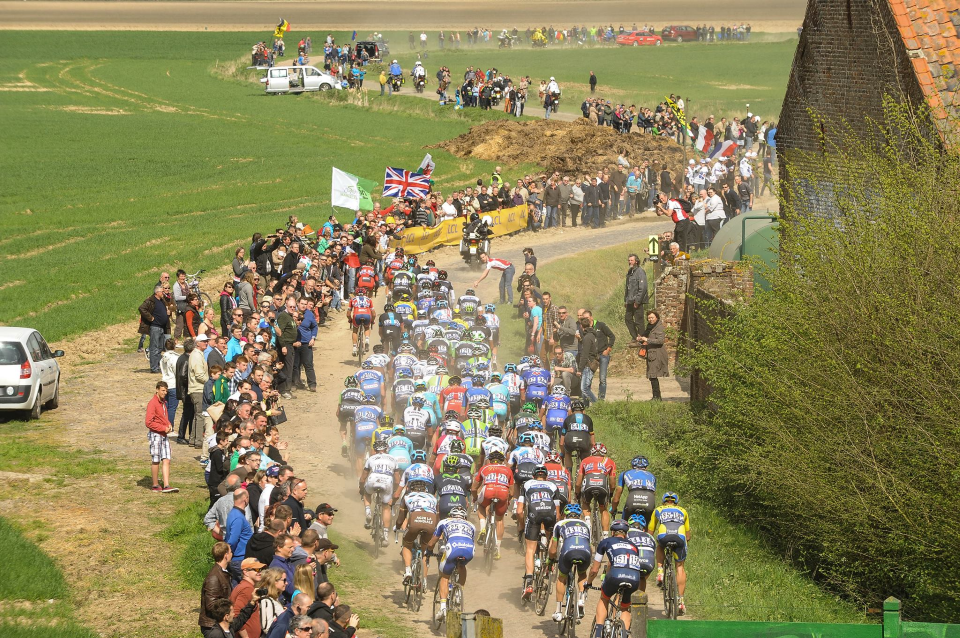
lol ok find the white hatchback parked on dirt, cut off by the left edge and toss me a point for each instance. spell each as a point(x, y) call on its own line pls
point(29, 372)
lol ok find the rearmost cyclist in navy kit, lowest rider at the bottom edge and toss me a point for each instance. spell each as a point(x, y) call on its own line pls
point(624, 572)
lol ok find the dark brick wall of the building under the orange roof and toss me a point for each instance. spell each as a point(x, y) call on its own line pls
point(849, 56)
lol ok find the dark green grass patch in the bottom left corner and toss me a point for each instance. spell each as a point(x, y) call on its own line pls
point(34, 597)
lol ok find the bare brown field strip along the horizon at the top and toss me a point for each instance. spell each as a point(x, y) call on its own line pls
point(779, 16)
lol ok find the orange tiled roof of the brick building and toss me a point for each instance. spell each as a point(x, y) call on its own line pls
point(929, 29)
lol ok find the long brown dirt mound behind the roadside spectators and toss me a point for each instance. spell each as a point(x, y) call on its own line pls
point(571, 148)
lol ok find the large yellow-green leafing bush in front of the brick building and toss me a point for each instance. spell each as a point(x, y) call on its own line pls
point(835, 426)
